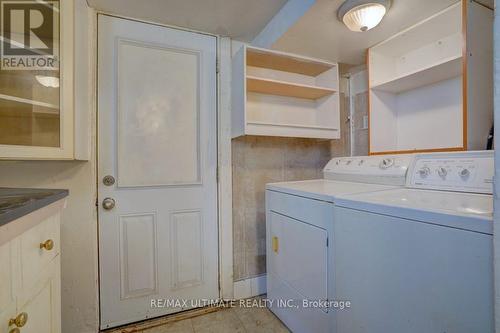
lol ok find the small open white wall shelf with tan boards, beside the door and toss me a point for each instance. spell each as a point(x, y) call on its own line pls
point(280, 94)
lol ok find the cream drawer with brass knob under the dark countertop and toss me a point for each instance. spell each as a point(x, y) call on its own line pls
point(34, 257)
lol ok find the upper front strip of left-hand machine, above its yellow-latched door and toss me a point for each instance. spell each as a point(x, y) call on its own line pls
point(315, 212)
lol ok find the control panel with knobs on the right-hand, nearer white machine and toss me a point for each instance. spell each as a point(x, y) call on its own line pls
point(462, 172)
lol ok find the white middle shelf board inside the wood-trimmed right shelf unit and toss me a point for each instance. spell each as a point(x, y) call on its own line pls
point(447, 69)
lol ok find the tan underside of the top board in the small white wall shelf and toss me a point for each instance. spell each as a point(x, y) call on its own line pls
point(286, 62)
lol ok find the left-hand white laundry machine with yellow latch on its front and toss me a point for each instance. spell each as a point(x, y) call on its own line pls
point(299, 219)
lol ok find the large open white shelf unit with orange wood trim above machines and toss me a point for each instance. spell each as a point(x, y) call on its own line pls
point(431, 85)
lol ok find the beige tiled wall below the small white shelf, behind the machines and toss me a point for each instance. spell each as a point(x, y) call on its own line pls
point(259, 160)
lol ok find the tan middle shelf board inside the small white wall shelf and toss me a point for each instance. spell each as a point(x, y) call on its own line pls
point(281, 88)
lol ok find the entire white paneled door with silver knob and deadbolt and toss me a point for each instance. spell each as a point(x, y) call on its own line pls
point(157, 139)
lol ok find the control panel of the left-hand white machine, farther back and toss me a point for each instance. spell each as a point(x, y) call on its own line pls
point(383, 169)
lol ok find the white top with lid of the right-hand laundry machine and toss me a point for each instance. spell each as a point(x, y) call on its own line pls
point(468, 211)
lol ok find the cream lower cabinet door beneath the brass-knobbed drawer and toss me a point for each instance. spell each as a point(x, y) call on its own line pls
point(42, 303)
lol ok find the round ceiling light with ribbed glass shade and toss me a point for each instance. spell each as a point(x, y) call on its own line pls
point(363, 15)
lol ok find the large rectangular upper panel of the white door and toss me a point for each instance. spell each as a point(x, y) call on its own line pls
point(154, 111)
